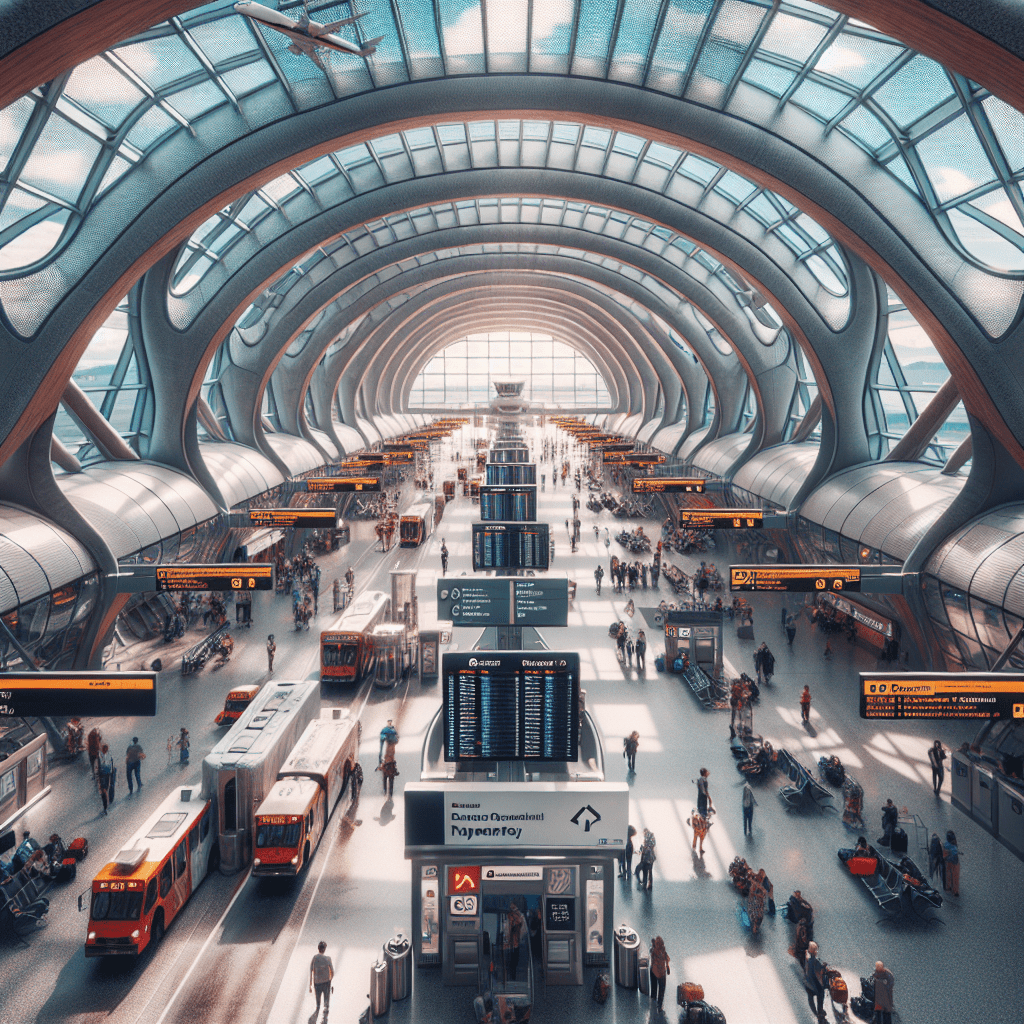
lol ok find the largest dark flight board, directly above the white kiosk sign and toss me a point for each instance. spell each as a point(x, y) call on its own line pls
point(511, 706)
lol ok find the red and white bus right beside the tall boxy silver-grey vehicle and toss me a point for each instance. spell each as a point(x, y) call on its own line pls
point(291, 822)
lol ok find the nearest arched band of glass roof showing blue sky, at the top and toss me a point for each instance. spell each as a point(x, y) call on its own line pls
point(958, 148)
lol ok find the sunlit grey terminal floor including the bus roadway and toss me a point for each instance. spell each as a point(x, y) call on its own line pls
point(240, 951)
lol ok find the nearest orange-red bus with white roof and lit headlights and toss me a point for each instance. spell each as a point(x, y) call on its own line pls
point(138, 895)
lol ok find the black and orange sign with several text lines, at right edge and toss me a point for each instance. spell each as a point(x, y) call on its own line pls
point(943, 696)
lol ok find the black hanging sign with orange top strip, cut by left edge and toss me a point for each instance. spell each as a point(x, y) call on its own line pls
point(78, 694)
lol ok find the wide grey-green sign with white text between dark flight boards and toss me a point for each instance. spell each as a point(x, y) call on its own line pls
point(534, 602)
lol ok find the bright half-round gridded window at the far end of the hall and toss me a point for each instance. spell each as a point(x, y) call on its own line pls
point(557, 375)
